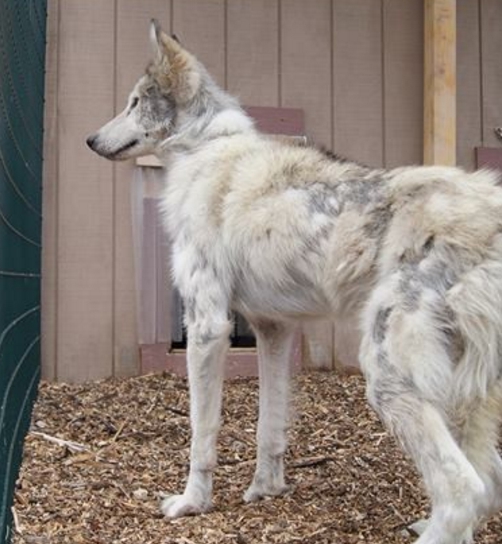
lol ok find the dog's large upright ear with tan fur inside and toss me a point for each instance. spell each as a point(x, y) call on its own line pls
point(174, 67)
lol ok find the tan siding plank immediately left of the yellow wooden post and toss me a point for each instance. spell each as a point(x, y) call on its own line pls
point(403, 81)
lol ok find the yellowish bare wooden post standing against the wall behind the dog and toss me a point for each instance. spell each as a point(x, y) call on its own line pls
point(440, 82)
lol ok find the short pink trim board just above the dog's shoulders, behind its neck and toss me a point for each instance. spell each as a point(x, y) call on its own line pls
point(286, 121)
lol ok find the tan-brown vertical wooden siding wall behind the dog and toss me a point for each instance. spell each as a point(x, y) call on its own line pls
point(355, 68)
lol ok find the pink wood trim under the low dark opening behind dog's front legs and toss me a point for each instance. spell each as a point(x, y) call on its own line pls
point(240, 362)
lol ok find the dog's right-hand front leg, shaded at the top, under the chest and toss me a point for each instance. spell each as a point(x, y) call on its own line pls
point(274, 341)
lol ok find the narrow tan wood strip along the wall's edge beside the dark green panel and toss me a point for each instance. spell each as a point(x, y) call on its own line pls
point(50, 198)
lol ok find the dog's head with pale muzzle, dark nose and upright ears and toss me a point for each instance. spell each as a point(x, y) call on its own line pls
point(171, 81)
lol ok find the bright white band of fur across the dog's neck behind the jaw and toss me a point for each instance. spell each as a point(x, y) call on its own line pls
point(229, 122)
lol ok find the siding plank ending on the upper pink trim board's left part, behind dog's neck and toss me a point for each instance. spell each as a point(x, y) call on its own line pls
point(252, 51)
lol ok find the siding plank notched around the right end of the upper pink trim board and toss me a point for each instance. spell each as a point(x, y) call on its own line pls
point(305, 64)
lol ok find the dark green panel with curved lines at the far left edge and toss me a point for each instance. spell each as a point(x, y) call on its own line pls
point(22, 61)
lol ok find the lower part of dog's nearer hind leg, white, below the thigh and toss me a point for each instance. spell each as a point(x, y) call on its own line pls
point(453, 484)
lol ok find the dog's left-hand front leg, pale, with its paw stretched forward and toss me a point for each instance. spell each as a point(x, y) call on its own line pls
point(208, 340)
